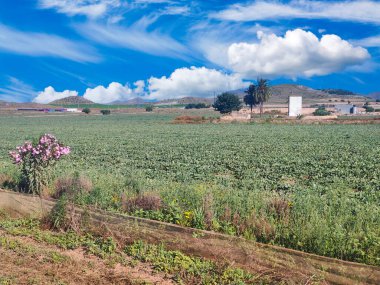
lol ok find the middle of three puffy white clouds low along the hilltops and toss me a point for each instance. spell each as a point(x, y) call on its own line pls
point(114, 92)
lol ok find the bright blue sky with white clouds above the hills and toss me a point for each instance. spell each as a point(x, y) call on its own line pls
point(116, 50)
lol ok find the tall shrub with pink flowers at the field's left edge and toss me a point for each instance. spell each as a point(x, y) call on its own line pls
point(35, 159)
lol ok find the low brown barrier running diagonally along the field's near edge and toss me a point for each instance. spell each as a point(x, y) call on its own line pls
point(291, 266)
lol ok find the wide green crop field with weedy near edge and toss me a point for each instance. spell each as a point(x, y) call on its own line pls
point(314, 188)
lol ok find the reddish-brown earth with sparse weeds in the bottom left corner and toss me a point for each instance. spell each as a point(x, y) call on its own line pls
point(33, 262)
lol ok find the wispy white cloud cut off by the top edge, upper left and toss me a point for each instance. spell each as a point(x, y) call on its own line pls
point(89, 8)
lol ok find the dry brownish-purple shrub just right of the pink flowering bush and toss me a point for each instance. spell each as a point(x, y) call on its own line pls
point(72, 185)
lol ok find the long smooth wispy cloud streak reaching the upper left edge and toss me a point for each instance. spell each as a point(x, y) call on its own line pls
point(39, 44)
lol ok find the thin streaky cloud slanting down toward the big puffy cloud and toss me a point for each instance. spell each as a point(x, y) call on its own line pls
point(135, 38)
